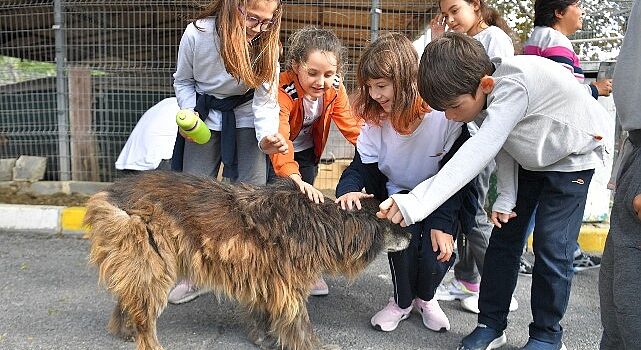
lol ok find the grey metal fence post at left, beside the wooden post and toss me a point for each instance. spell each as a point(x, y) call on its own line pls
point(61, 92)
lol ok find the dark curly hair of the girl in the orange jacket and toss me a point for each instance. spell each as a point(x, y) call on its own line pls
point(309, 39)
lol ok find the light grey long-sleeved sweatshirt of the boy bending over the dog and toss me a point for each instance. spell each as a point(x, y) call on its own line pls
point(537, 117)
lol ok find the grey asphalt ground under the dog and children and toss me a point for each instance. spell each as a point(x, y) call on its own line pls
point(51, 300)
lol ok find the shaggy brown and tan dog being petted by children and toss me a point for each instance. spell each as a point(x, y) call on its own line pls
point(262, 246)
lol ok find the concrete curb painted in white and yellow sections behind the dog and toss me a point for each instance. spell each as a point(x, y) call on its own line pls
point(68, 221)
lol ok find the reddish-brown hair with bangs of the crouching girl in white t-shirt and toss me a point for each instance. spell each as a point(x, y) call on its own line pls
point(391, 57)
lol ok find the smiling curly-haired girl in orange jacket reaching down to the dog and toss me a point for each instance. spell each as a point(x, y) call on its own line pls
point(311, 95)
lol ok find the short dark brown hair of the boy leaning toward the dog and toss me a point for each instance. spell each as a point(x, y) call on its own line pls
point(451, 66)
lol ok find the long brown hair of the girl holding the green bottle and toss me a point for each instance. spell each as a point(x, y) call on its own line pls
point(252, 63)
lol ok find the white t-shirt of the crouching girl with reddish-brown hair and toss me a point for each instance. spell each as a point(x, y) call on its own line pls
point(408, 160)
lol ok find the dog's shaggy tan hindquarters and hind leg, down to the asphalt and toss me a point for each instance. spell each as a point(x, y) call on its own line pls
point(130, 263)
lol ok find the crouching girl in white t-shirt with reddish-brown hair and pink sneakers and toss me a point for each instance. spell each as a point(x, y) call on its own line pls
point(403, 143)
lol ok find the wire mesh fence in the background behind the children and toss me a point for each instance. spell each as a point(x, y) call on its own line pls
point(75, 75)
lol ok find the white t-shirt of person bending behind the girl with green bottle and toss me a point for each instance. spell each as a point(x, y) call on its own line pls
point(152, 139)
